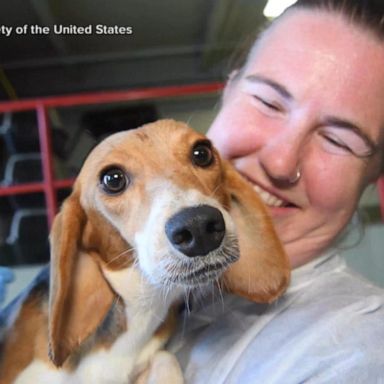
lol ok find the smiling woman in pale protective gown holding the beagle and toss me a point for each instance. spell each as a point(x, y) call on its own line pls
point(303, 121)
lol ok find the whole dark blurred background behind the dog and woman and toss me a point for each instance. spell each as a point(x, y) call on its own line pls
point(55, 48)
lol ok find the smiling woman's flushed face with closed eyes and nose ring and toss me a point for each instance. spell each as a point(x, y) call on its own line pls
point(310, 99)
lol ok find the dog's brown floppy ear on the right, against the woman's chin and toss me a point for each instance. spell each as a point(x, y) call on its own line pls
point(262, 272)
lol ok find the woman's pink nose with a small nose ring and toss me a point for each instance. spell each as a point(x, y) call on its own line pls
point(280, 157)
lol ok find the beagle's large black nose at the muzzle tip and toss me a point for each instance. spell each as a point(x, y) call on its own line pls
point(196, 231)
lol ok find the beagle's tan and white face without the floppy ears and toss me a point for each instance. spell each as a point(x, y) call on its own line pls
point(162, 189)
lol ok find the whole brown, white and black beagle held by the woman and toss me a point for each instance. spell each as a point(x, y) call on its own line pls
point(153, 213)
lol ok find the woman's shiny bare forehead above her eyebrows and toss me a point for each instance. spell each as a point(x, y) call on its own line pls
point(320, 55)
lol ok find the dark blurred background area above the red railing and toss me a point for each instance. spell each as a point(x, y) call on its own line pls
point(172, 42)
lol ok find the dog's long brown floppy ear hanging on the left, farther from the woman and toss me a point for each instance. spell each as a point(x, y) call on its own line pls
point(80, 297)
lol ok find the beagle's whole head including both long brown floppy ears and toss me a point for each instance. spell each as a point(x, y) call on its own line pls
point(158, 200)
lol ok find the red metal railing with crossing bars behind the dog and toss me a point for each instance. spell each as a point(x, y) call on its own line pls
point(50, 185)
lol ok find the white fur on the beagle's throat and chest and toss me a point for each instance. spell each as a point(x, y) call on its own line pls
point(146, 308)
